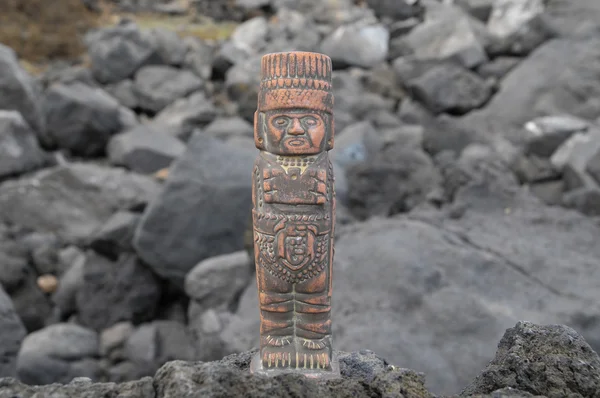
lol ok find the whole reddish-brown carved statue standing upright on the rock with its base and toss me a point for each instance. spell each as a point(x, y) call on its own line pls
point(294, 214)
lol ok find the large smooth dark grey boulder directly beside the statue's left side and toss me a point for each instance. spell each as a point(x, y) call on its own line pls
point(202, 211)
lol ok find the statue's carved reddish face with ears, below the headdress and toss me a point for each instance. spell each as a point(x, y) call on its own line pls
point(299, 132)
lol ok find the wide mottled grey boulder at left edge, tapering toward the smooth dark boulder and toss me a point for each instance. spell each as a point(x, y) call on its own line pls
point(73, 200)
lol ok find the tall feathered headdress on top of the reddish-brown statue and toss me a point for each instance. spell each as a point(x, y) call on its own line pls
point(296, 80)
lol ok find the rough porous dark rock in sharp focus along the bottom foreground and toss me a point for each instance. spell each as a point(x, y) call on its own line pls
point(527, 356)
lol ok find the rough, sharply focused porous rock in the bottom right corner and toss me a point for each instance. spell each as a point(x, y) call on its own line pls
point(553, 361)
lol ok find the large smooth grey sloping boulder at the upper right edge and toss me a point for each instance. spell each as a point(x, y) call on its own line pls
point(560, 77)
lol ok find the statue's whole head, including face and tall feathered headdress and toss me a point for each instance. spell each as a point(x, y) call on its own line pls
point(295, 104)
